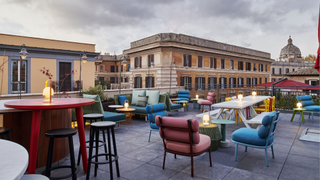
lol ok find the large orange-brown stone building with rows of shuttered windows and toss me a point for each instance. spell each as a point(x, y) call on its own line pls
point(201, 64)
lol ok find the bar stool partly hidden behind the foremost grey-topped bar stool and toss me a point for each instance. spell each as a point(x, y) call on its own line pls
point(94, 117)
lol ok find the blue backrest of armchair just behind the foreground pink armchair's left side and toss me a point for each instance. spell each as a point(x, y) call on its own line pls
point(156, 110)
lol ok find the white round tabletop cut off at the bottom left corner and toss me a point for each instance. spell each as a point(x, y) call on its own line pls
point(14, 160)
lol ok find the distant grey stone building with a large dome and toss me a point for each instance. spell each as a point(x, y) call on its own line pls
point(289, 61)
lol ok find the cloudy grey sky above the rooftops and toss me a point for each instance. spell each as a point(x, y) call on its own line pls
point(112, 24)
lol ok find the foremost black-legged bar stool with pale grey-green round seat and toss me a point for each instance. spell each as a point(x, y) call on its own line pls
point(94, 130)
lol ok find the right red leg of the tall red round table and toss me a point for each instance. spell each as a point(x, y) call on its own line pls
point(82, 138)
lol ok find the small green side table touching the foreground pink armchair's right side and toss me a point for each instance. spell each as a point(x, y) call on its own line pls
point(212, 130)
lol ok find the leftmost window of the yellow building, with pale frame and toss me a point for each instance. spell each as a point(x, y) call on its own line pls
point(19, 73)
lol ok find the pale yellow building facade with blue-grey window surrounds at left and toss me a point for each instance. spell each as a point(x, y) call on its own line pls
point(61, 58)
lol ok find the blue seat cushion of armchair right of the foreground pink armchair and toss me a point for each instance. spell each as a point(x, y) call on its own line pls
point(250, 136)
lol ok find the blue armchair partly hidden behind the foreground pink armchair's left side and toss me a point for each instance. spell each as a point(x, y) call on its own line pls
point(153, 111)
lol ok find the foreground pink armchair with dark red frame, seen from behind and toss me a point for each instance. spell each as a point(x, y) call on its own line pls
point(181, 136)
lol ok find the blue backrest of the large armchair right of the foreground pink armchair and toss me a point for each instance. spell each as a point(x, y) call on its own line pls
point(269, 124)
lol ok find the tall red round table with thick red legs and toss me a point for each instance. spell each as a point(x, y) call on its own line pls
point(37, 105)
